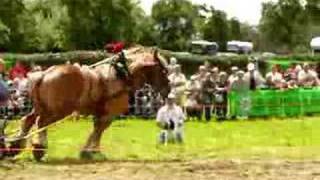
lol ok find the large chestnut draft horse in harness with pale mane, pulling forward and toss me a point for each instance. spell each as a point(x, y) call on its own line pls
point(102, 91)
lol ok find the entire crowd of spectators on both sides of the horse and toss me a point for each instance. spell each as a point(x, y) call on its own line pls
point(202, 95)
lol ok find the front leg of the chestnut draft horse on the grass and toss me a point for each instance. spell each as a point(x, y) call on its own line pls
point(92, 146)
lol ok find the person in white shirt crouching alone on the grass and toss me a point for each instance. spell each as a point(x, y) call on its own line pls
point(170, 119)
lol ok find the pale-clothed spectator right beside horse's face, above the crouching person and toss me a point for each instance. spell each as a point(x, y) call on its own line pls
point(177, 84)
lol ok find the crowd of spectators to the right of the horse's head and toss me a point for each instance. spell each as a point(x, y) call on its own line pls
point(206, 91)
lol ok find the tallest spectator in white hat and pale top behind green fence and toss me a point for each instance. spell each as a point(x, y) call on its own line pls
point(254, 77)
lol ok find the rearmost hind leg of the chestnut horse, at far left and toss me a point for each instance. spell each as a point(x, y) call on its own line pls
point(20, 141)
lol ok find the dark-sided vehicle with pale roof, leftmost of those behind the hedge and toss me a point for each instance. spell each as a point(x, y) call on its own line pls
point(204, 47)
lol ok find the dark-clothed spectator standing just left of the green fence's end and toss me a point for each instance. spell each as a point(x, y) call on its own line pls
point(221, 96)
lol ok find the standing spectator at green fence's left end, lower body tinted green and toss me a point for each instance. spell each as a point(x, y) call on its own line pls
point(241, 88)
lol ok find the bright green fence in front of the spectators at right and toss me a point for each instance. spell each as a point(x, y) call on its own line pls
point(263, 103)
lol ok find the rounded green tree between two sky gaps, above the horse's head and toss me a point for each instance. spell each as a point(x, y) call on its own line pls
point(175, 23)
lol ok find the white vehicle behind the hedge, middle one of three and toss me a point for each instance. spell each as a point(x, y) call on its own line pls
point(240, 47)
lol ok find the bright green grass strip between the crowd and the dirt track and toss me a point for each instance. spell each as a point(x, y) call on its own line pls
point(137, 140)
